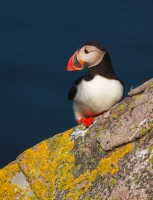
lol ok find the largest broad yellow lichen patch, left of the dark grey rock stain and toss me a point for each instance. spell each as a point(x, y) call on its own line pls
point(48, 167)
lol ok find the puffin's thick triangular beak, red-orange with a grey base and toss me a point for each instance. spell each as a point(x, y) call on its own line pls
point(74, 64)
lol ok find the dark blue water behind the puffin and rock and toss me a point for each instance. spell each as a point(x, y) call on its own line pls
point(36, 40)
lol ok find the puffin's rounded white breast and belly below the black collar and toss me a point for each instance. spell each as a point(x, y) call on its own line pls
point(98, 95)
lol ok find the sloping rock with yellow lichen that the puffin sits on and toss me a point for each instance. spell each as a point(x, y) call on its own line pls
point(112, 159)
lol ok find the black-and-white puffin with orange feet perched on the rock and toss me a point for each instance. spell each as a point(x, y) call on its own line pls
point(99, 89)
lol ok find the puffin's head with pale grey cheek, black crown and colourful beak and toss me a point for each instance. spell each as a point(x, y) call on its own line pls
point(88, 55)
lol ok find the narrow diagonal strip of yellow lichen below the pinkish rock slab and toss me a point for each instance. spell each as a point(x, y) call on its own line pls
point(106, 165)
